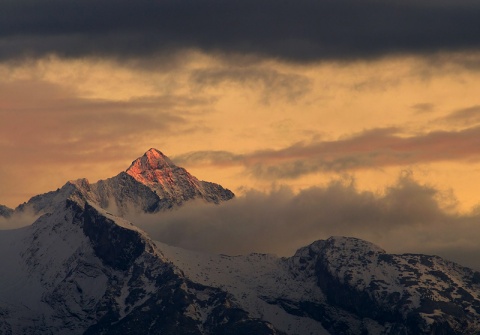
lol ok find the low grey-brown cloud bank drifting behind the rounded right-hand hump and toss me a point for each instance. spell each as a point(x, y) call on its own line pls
point(407, 217)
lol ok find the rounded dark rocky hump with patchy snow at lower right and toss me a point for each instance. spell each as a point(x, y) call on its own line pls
point(405, 294)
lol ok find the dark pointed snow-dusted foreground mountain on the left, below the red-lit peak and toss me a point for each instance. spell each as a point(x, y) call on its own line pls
point(81, 270)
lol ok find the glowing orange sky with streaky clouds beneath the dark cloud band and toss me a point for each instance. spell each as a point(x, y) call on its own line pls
point(250, 124)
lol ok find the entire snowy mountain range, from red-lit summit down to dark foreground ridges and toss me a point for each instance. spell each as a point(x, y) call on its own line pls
point(79, 269)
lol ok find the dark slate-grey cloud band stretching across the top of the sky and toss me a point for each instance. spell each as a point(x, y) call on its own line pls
point(300, 30)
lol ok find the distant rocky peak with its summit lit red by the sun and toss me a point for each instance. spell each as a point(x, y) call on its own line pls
point(152, 183)
